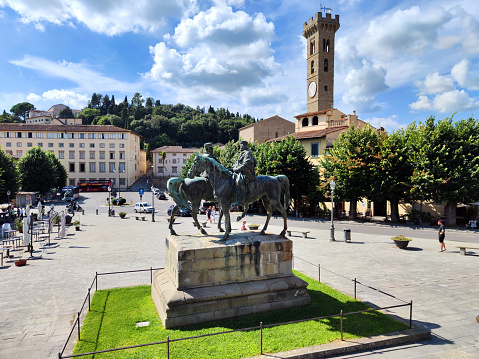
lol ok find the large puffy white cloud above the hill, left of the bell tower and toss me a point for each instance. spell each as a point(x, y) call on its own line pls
point(218, 52)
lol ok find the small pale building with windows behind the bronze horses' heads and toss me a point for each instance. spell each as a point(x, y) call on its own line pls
point(173, 161)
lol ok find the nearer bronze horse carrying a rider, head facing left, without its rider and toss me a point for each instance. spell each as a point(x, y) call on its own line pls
point(267, 188)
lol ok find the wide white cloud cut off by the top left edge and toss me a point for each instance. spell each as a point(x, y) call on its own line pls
point(102, 16)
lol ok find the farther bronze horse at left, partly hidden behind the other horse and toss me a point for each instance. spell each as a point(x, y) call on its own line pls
point(190, 190)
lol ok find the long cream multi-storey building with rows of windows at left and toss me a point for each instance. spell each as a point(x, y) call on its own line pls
point(86, 151)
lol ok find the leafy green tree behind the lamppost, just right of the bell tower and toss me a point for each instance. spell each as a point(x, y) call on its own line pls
point(352, 163)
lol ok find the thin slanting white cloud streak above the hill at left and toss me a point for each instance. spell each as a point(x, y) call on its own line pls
point(87, 79)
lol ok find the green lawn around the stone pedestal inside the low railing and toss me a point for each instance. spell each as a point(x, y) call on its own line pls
point(114, 313)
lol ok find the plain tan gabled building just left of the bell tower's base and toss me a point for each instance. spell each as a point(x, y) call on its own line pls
point(266, 129)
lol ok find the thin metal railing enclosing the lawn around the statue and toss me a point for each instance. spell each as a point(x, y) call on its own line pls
point(260, 327)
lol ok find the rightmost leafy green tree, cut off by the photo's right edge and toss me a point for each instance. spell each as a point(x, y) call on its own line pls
point(447, 163)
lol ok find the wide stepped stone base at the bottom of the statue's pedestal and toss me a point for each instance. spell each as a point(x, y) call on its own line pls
point(179, 308)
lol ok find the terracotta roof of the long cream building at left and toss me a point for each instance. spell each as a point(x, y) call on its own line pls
point(61, 128)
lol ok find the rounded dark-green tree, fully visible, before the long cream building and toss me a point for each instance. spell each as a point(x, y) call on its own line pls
point(36, 171)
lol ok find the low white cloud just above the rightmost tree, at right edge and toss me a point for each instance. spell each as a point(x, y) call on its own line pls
point(447, 102)
